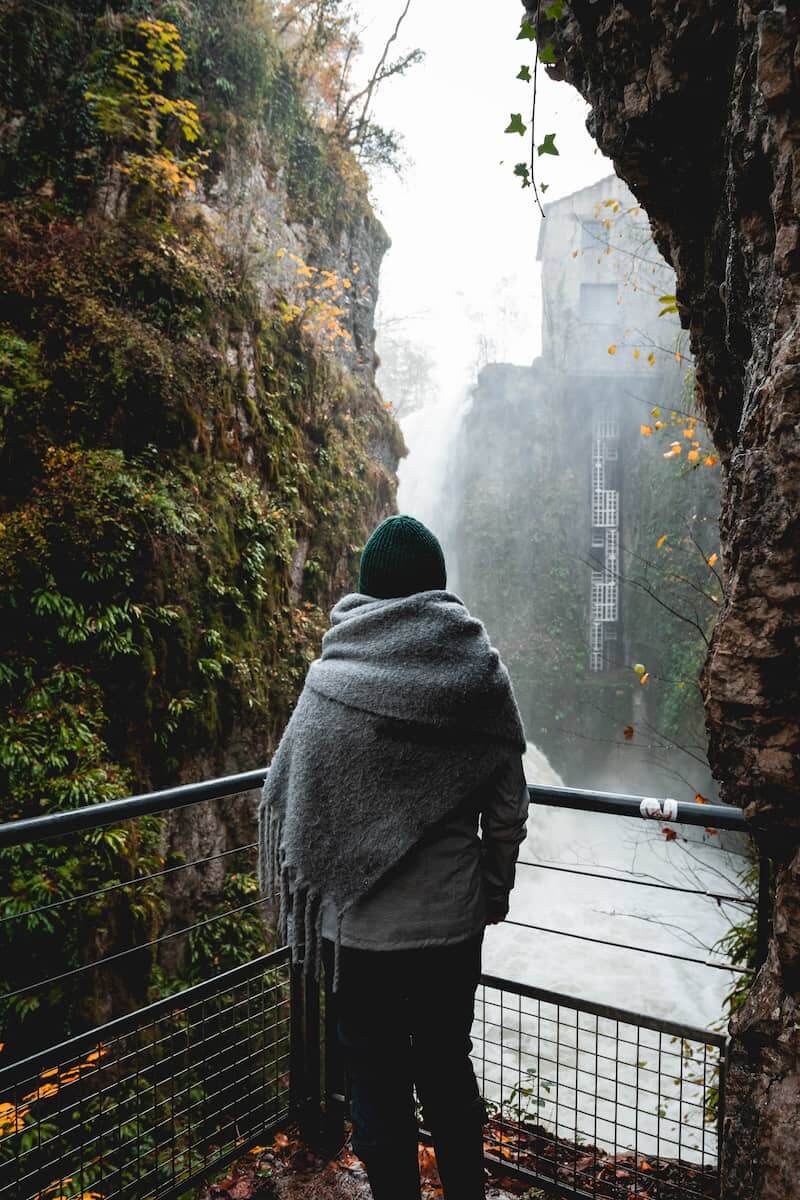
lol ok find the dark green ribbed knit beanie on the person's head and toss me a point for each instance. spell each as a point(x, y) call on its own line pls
point(401, 557)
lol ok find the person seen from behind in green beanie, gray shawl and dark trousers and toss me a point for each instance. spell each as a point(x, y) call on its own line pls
point(406, 736)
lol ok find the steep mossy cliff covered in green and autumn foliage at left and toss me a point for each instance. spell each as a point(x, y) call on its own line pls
point(193, 447)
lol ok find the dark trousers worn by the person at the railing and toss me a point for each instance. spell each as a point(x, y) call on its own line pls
point(404, 1021)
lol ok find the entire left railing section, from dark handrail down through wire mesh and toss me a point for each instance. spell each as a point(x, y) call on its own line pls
point(147, 1024)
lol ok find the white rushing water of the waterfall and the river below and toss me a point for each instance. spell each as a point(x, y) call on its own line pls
point(558, 890)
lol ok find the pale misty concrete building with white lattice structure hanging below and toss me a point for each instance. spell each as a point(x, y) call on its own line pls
point(601, 331)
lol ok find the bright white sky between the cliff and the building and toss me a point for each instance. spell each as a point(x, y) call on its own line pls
point(464, 231)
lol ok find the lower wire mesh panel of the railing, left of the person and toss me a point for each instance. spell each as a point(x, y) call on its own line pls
point(147, 1105)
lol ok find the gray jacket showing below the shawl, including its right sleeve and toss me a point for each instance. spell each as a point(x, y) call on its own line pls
point(443, 890)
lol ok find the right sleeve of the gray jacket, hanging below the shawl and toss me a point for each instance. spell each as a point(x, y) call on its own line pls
point(503, 831)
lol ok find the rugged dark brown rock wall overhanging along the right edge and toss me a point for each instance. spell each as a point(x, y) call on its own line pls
point(699, 103)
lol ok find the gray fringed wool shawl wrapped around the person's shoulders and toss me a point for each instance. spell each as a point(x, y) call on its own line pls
point(406, 713)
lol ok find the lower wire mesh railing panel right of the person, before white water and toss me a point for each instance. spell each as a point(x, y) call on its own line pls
point(596, 1101)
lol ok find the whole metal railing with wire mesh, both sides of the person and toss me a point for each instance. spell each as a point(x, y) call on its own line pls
point(155, 1035)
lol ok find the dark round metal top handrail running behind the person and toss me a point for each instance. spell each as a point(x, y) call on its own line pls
point(99, 817)
